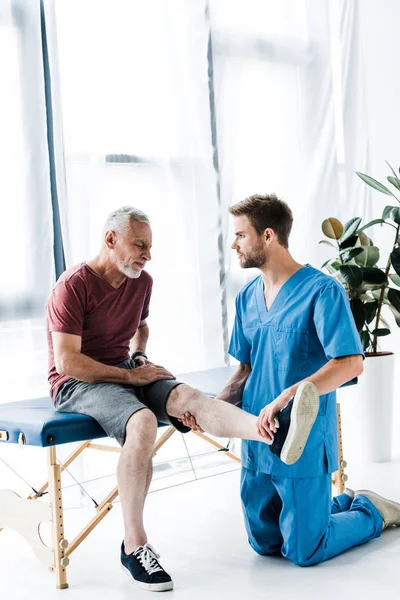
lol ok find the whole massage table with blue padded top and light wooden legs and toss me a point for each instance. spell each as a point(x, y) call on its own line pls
point(36, 423)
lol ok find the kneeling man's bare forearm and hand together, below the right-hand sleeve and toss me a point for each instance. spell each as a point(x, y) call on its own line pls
point(331, 376)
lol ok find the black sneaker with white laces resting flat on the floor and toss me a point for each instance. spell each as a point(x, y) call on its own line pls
point(145, 569)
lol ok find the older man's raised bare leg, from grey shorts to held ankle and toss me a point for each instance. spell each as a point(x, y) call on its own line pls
point(214, 416)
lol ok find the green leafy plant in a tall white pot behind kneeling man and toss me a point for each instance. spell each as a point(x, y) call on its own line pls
point(371, 286)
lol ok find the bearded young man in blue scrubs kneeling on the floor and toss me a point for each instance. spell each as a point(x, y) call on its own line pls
point(294, 324)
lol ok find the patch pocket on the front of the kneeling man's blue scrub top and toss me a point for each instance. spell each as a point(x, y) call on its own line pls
point(290, 349)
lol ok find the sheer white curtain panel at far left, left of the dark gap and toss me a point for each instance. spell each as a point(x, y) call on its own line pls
point(26, 242)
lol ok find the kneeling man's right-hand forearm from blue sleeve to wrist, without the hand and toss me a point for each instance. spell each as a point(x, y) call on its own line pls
point(334, 374)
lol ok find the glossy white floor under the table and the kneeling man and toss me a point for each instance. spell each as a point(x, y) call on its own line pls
point(198, 529)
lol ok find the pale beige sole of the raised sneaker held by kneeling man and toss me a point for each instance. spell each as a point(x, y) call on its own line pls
point(304, 412)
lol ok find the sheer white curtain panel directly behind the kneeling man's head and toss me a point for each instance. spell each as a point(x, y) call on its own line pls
point(275, 115)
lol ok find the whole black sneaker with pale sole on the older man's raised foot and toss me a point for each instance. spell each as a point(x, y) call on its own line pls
point(295, 423)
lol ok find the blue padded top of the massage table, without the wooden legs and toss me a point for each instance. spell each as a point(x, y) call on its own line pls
point(43, 426)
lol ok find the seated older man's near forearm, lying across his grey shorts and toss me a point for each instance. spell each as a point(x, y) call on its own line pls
point(81, 367)
